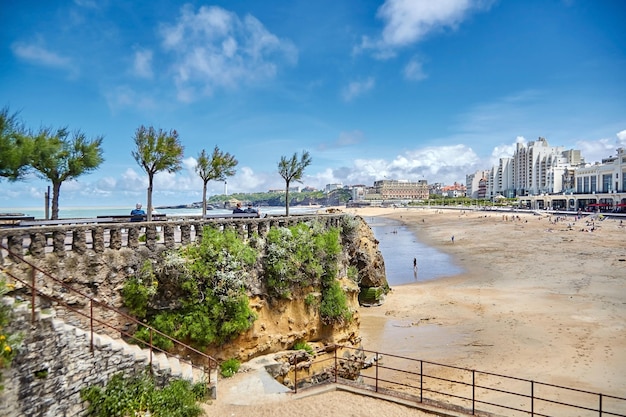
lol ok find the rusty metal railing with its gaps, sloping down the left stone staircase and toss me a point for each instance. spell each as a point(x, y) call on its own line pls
point(99, 317)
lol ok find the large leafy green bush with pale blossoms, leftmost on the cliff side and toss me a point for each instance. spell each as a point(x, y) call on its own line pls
point(207, 281)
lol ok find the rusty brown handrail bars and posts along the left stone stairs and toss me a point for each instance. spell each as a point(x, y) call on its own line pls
point(212, 362)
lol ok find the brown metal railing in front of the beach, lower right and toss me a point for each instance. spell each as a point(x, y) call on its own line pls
point(464, 390)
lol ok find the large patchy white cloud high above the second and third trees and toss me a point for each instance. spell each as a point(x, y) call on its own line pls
point(214, 48)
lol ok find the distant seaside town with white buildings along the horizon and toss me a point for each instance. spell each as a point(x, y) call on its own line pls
point(537, 176)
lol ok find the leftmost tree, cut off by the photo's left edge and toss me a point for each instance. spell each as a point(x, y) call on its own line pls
point(15, 147)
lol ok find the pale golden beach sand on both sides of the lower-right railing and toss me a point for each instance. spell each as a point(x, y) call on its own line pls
point(538, 299)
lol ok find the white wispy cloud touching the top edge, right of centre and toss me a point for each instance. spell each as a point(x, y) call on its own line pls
point(408, 22)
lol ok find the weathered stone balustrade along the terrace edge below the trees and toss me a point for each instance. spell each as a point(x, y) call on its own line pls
point(36, 241)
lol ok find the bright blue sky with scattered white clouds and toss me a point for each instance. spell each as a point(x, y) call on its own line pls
point(388, 89)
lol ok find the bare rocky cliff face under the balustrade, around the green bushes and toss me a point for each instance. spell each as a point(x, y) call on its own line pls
point(280, 323)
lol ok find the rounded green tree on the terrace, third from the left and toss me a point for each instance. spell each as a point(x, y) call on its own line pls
point(157, 151)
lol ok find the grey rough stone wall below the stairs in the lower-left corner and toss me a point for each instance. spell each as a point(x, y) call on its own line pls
point(55, 362)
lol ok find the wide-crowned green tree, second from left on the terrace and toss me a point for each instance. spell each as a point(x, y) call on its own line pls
point(59, 158)
